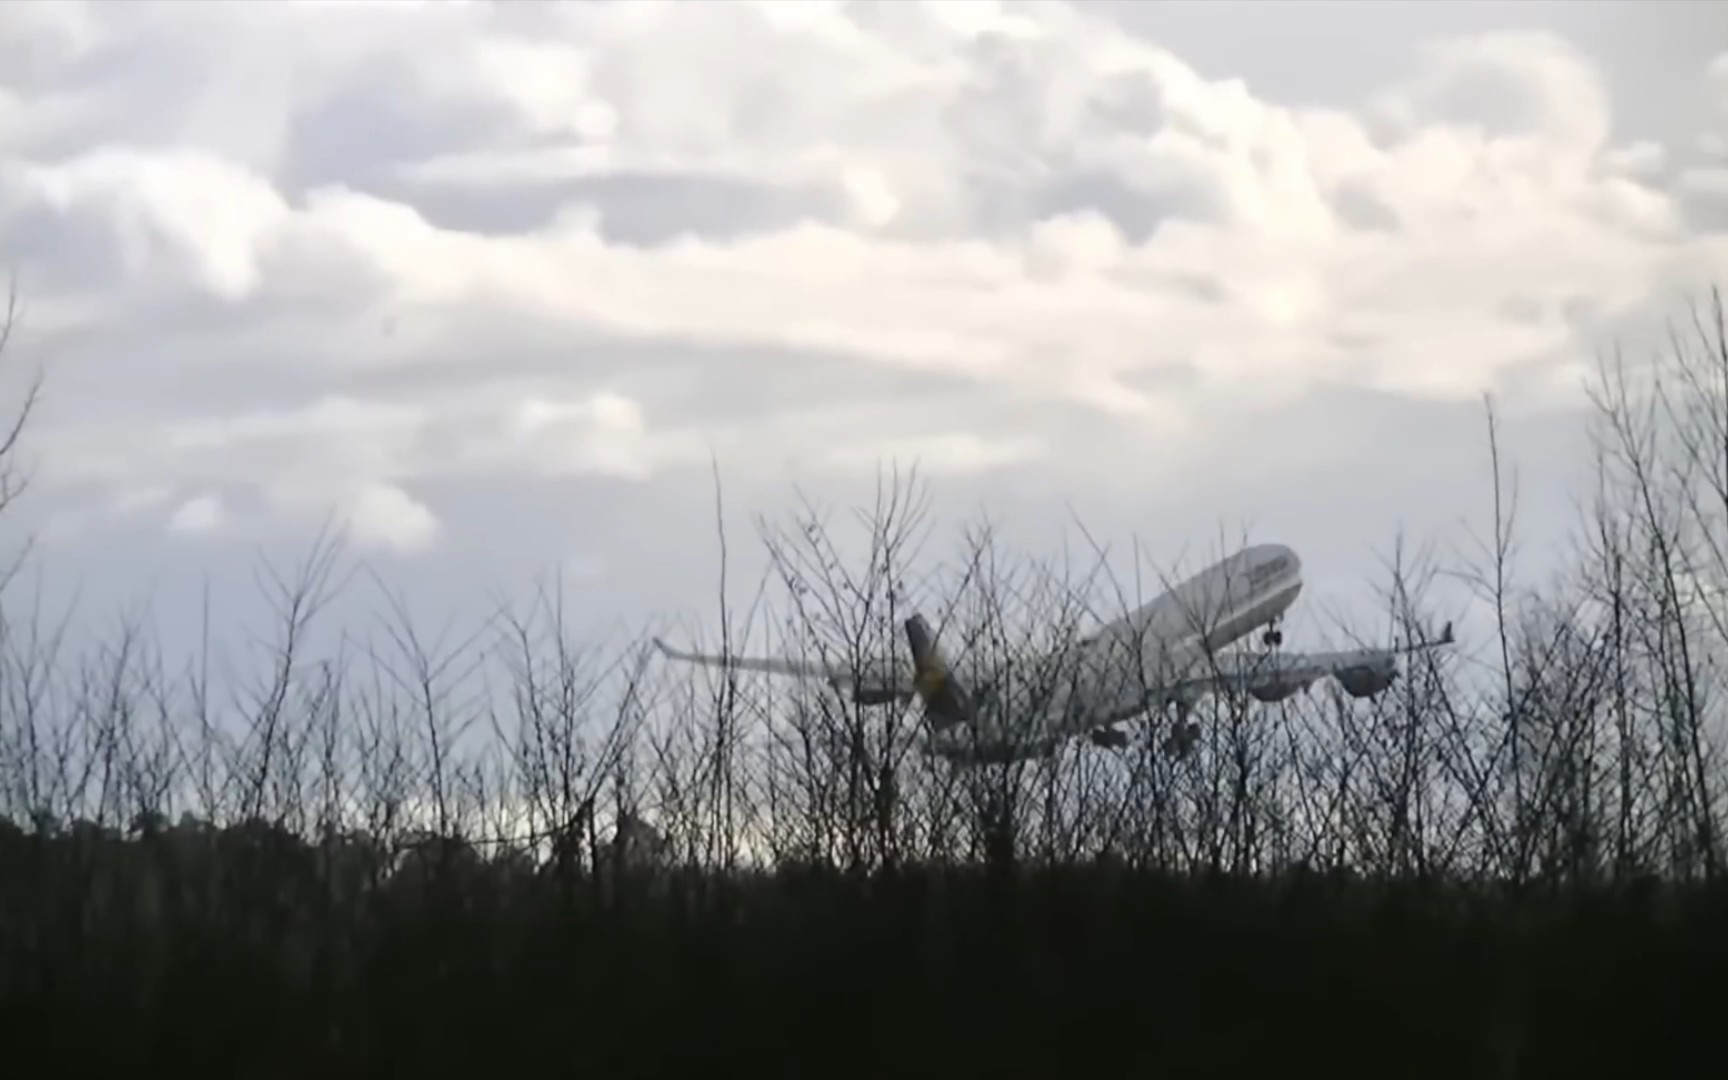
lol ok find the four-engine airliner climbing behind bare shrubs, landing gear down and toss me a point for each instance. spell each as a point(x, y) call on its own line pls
point(1160, 658)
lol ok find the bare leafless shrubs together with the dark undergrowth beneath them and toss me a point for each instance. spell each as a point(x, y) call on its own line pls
point(516, 854)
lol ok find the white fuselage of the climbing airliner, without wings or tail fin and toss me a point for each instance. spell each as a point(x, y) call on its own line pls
point(1136, 663)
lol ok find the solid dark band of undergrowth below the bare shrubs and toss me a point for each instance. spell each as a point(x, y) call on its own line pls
point(246, 956)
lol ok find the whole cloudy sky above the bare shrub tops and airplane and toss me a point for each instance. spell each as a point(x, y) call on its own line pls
point(492, 283)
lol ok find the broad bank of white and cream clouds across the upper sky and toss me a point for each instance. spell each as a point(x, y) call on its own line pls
point(324, 215)
